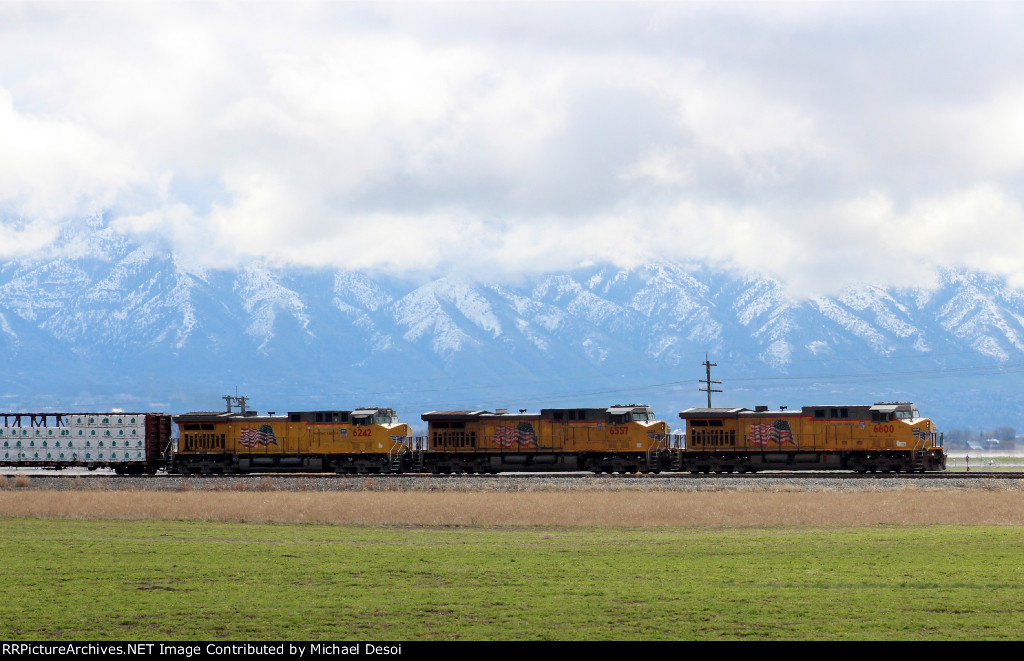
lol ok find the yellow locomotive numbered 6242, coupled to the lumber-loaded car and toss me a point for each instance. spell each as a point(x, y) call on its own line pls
point(365, 440)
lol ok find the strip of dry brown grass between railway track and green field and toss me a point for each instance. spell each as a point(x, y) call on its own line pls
point(527, 509)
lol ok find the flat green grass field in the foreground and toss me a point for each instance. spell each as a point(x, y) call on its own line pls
point(143, 581)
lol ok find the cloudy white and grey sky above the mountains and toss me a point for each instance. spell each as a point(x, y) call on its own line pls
point(820, 144)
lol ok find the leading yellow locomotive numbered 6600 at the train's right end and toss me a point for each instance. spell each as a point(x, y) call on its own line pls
point(886, 437)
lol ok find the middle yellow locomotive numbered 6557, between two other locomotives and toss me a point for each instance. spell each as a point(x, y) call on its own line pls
point(618, 439)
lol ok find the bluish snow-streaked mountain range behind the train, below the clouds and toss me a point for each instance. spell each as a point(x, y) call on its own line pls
point(126, 326)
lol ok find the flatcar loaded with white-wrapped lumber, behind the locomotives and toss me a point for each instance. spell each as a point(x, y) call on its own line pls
point(130, 444)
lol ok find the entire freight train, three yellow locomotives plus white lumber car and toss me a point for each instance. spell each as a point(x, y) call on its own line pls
point(885, 437)
